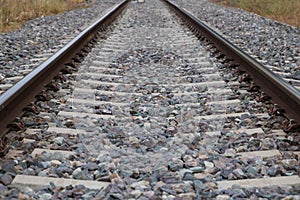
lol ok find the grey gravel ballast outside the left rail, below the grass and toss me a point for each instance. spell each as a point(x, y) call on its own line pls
point(23, 50)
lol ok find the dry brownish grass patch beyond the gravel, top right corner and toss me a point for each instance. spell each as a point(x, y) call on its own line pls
point(286, 11)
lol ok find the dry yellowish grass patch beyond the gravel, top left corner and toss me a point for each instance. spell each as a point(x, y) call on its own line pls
point(14, 12)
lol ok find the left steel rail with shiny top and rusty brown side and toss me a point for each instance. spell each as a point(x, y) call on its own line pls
point(20, 95)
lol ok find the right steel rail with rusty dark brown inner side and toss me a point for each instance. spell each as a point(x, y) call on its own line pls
point(282, 93)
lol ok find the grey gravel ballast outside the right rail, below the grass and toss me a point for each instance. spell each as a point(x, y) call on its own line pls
point(272, 43)
